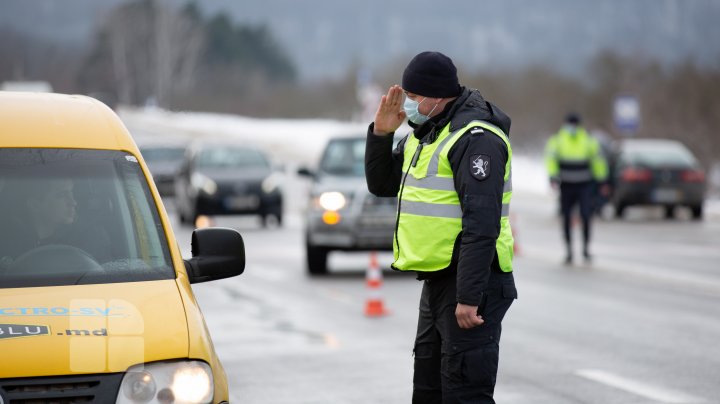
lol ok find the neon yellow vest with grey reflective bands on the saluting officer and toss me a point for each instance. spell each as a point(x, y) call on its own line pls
point(429, 214)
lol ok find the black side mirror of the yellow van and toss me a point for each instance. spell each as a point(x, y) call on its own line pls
point(217, 253)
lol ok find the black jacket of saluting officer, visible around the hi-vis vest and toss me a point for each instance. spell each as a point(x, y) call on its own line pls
point(474, 255)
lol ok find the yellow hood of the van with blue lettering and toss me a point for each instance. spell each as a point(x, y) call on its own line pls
point(105, 328)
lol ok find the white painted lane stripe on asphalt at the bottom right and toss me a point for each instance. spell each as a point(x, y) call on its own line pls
point(659, 394)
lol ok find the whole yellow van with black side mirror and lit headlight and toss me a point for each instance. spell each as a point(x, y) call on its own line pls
point(96, 304)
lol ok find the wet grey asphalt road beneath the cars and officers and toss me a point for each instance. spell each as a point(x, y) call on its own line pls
point(639, 325)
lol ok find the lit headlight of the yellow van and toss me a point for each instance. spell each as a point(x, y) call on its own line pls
point(185, 382)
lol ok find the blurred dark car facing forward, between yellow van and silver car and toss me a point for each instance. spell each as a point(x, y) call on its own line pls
point(223, 178)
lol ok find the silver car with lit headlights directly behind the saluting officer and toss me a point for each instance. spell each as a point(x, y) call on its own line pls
point(342, 214)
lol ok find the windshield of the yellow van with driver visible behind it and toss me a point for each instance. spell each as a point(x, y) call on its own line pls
point(70, 216)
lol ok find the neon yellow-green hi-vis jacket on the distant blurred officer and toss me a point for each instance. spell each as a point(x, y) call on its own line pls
point(575, 158)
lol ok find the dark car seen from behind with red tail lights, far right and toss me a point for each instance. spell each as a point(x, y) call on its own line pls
point(657, 172)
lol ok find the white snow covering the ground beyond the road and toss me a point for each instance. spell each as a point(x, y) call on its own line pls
point(299, 142)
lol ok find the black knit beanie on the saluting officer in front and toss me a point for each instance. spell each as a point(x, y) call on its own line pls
point(431, 74)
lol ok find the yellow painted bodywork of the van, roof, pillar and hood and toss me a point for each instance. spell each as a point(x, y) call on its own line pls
point(157, 320)
